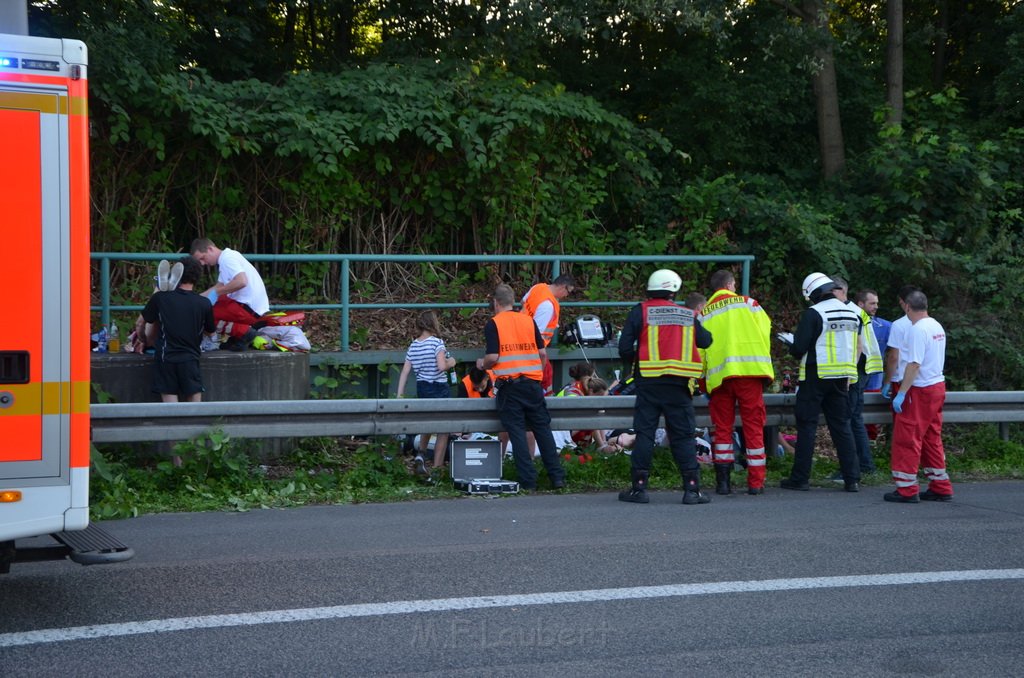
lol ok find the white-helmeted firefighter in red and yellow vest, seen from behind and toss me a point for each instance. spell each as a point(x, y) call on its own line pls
point(662, 338)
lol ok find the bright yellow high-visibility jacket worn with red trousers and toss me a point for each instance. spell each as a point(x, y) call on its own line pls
point(742, 330)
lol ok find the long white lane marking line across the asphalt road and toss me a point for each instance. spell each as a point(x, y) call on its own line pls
point(480, 603)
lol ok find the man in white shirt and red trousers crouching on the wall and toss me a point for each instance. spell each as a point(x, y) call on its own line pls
point(239, 298)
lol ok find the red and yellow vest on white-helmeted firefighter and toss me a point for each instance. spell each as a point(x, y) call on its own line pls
point(667, 347)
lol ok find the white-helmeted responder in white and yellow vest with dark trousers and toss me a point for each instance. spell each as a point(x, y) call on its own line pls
point(828, 343)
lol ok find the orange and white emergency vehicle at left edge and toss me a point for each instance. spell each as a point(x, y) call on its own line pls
point(46, 348)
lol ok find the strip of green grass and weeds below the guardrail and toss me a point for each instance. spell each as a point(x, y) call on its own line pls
point(220, 475)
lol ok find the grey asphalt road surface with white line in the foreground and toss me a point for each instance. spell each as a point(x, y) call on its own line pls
point(788, 584)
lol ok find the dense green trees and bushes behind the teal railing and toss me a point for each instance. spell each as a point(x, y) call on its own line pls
point(585, 126)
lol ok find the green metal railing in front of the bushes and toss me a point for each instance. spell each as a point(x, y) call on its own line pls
point(346, 305)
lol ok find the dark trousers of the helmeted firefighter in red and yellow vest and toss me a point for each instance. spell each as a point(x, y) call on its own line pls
point(674, 402)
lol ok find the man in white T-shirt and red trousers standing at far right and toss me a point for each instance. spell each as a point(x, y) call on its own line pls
point(918, 427)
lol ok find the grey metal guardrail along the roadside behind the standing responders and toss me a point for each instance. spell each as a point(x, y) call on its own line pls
point(276, 419)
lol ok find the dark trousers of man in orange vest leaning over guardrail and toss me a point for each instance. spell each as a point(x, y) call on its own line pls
point(522, 407)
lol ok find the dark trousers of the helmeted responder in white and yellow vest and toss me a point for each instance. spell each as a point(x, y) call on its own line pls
point(832, 398)
